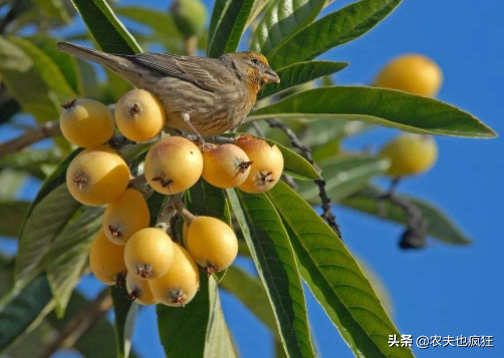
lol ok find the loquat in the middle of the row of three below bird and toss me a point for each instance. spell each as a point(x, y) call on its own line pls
point(225, 166)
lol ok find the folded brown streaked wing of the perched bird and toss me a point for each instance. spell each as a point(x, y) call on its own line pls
point(192, 69)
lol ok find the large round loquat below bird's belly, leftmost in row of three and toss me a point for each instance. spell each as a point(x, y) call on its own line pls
point(173, 165)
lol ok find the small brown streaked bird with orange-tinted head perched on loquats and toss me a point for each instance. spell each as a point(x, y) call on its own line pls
point(206, 96)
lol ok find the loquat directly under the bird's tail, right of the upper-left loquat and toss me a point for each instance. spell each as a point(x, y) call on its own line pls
point(139, 115)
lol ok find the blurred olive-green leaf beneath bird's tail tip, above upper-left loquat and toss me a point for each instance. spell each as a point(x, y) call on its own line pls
point(67, 64)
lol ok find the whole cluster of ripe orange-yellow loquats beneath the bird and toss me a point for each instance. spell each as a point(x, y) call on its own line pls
point(154, 267)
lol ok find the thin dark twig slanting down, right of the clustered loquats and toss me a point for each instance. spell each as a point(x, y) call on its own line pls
point(328, 215)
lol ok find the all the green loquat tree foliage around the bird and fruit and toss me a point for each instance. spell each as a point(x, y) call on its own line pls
point(285, 238)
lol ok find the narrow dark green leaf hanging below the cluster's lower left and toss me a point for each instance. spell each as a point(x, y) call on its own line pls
point(125, 315)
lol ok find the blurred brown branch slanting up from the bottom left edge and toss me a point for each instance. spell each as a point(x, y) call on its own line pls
point(80, 324)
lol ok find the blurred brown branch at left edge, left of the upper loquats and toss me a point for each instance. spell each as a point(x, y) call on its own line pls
point(47, 130)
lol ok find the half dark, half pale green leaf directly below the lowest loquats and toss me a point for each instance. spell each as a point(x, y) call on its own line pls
point(197, 330)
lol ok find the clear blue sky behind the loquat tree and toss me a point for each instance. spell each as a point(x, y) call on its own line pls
point(441, 290)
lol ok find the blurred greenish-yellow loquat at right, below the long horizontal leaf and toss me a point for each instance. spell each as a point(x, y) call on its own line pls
point(410, 154)
